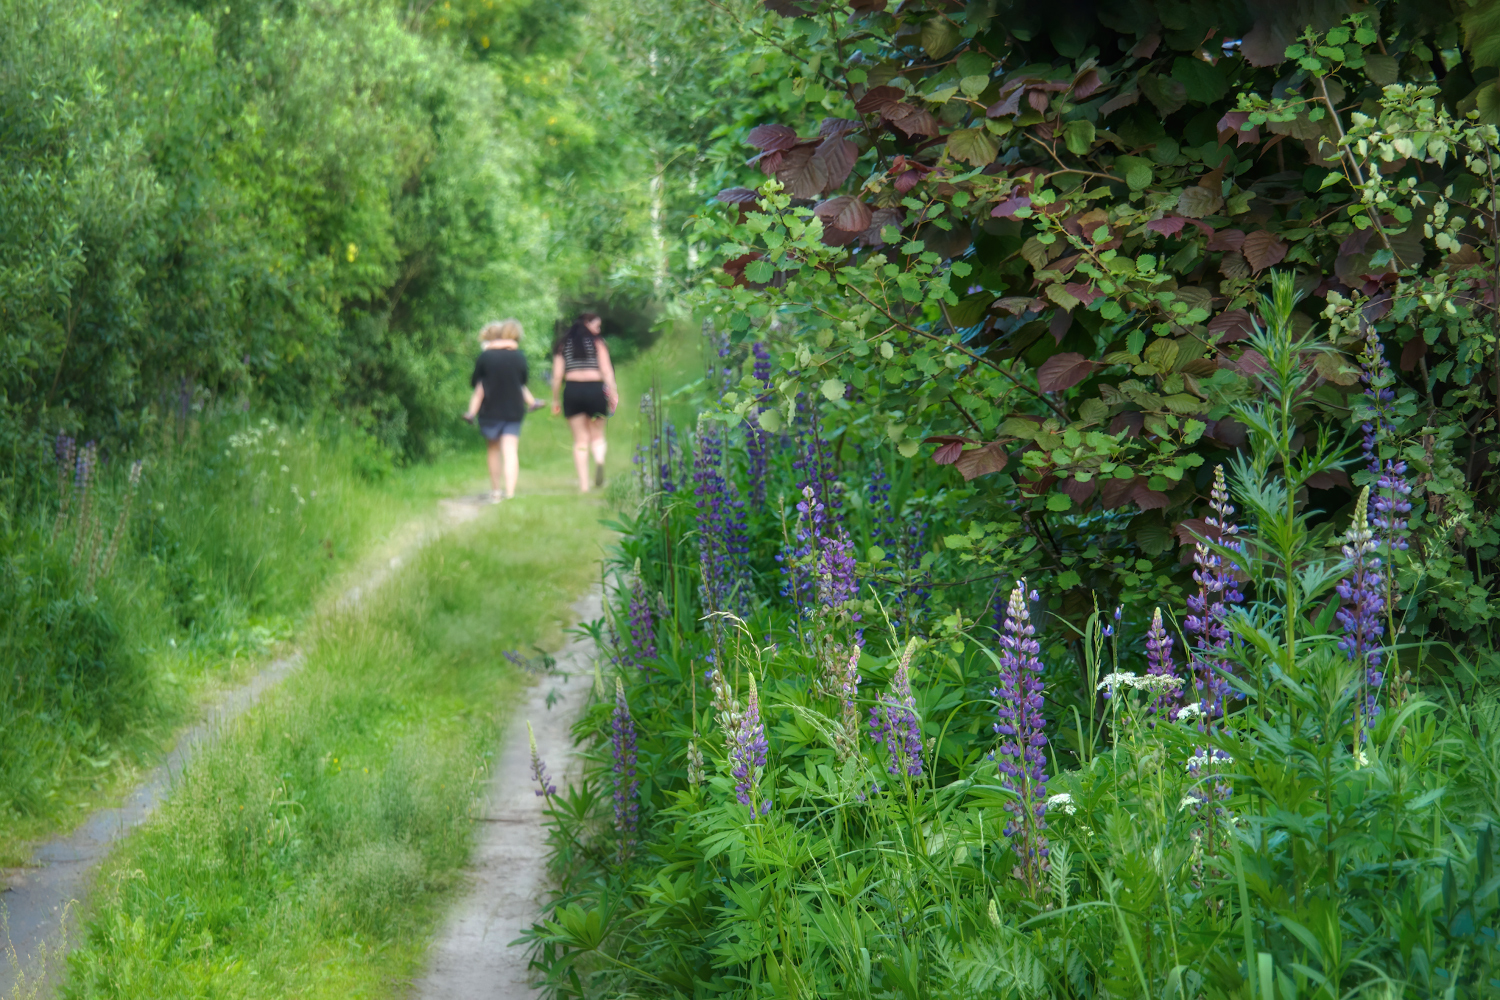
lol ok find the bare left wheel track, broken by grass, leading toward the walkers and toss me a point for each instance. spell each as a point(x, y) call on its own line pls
point(40, 909)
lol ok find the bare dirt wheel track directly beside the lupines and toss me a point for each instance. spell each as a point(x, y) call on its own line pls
point(473, 959)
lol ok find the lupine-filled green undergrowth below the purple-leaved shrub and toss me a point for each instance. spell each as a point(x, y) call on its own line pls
point(1240, 795)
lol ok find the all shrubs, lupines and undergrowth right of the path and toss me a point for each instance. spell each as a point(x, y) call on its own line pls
point(1081, 576)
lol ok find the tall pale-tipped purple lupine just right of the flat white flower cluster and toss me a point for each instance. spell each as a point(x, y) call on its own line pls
point(1208, 609)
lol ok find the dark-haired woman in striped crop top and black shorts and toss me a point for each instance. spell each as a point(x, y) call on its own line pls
point(584, 392)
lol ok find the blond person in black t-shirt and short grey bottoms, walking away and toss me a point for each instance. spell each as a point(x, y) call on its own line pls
point(500, 403)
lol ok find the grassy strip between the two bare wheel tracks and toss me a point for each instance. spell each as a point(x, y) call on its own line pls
point(305, 854)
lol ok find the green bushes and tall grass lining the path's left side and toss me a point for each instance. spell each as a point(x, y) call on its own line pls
point(244, 254)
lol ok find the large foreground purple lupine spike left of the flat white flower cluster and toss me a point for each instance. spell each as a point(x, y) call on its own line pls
point(1024, 740)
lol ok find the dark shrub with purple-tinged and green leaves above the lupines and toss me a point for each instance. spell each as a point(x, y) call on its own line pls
point(1034, 241)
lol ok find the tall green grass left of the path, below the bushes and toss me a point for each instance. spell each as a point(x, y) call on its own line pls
point(124, 603)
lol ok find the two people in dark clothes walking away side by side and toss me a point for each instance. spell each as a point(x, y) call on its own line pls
point(583, 391)
